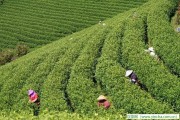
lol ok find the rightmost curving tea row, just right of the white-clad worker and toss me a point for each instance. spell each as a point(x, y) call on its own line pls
point(162, 35)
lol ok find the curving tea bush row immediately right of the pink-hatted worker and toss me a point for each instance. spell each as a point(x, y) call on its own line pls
point(55, 86)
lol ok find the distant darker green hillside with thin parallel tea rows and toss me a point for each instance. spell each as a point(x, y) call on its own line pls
point(38, 22)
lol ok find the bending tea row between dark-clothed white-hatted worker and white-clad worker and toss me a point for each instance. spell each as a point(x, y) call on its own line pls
point(161, 83)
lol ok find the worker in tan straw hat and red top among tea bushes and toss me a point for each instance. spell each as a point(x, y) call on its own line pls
point(102, 101)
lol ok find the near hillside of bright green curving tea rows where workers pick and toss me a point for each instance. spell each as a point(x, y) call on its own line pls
point(69, 74)
